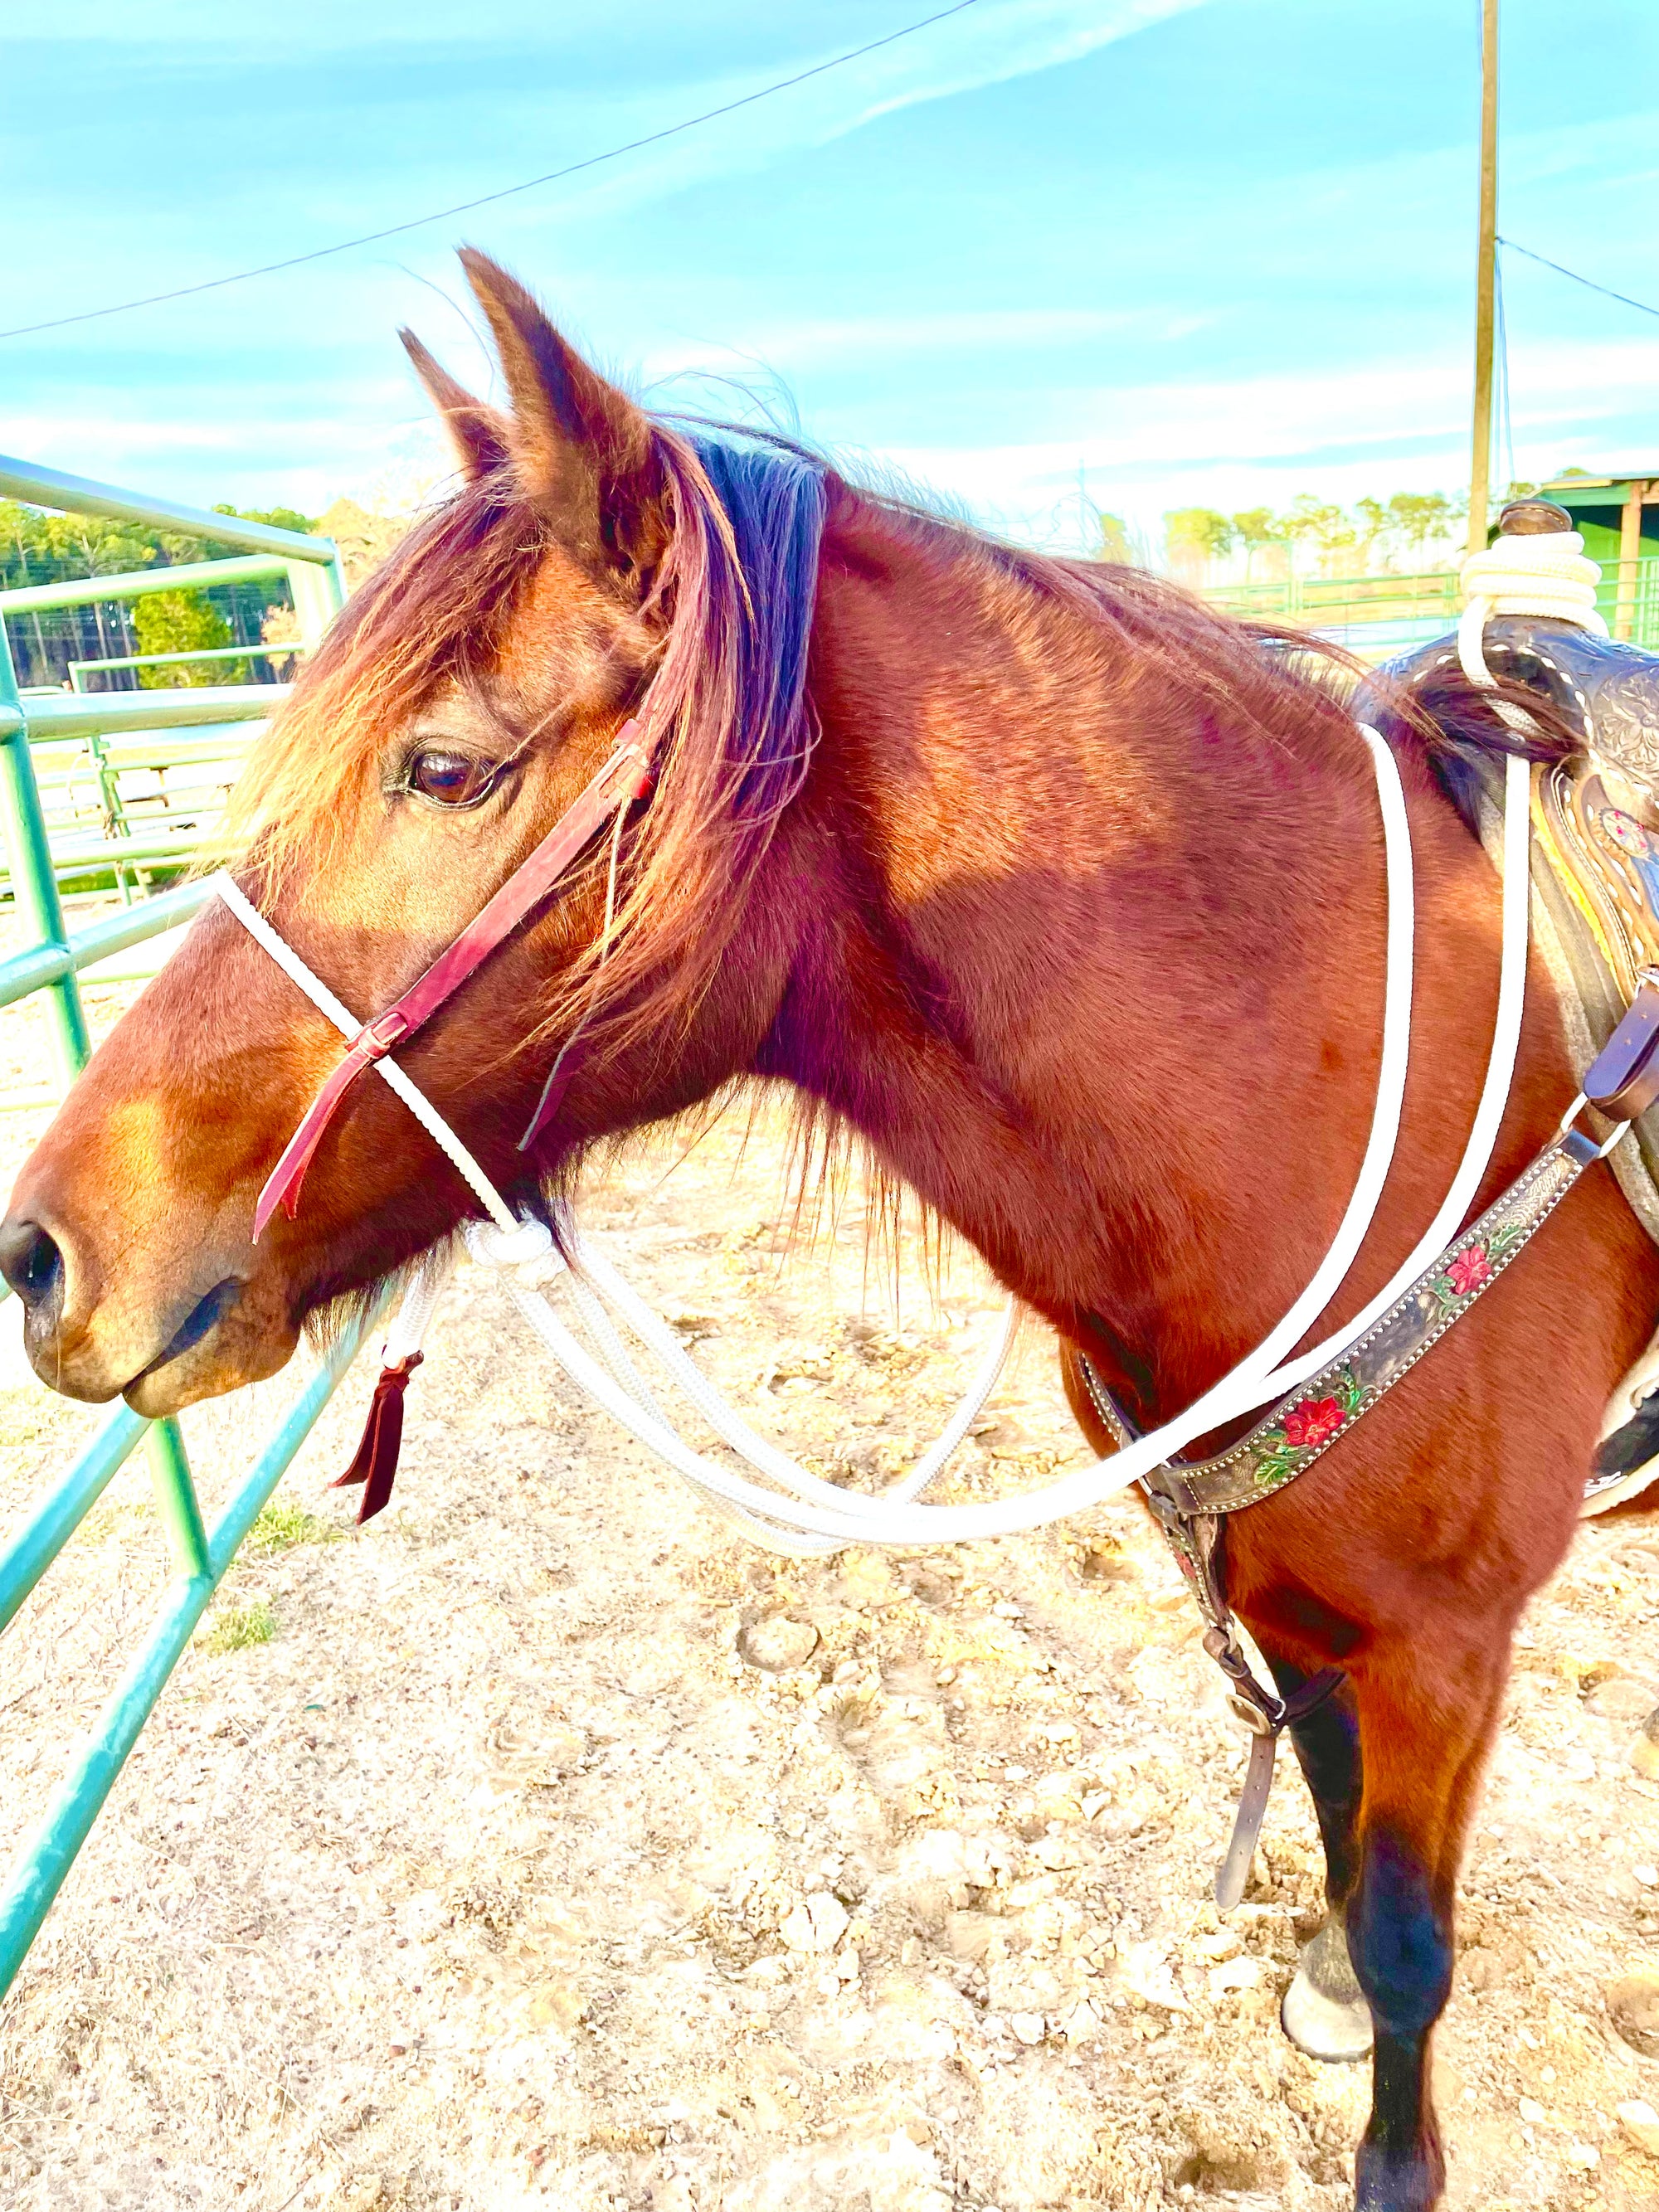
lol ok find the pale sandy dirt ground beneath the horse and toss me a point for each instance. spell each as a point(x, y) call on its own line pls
point(474, 1861)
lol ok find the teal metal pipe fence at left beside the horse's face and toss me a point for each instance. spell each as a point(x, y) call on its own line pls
point(50, 963)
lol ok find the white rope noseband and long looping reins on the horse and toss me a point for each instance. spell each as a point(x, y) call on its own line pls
point(800, 1512)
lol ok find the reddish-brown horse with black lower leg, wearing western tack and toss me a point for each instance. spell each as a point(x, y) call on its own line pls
point(1050, 884)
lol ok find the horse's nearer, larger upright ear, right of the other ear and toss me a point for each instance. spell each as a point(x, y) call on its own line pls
point(581, 448)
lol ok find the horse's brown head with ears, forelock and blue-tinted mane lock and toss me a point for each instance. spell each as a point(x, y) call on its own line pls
point(585, 572)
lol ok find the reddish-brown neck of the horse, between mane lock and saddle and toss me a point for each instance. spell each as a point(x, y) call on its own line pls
point(1092, 946)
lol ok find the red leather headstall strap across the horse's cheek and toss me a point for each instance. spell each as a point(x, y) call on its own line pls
point(623, 780)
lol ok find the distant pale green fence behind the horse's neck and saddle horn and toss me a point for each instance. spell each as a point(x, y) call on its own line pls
point(1388, 614)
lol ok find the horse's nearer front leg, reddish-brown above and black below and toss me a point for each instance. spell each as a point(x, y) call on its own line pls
point(1423, 1742)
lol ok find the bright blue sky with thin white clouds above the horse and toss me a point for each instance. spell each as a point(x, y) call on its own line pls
point(1187, 251)
